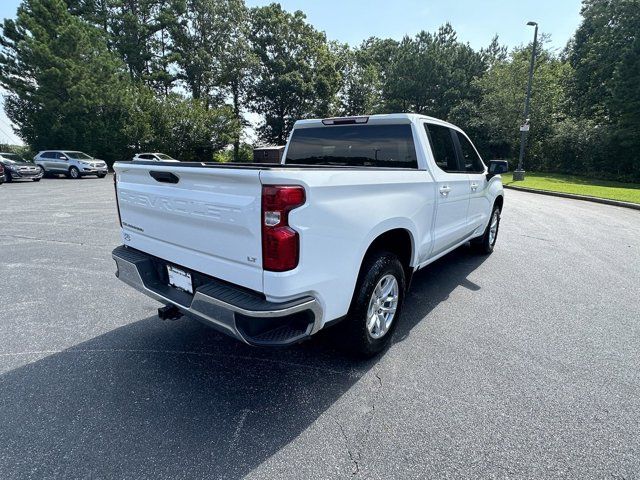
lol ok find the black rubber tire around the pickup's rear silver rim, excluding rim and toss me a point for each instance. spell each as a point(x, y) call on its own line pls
point(355, 336)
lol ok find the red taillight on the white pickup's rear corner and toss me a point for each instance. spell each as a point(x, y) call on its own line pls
point(280, 243)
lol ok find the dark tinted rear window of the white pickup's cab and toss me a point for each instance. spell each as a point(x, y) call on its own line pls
point(354, 145)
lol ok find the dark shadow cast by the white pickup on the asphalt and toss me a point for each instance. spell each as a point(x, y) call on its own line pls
point(160, 399)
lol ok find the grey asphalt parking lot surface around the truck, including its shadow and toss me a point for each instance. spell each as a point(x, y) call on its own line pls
point(523, 364)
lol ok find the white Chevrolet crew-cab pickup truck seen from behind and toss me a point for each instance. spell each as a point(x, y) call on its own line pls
point(271, 254)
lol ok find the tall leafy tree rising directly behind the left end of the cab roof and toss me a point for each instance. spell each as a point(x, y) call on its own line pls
point(298, 74)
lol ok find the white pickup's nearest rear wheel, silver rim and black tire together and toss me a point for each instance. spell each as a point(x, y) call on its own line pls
point(376, 305)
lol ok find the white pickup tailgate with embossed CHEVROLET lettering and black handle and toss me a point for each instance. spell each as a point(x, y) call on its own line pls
point(208, 221)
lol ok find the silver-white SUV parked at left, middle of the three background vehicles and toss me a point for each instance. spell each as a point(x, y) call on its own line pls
point(71, 163)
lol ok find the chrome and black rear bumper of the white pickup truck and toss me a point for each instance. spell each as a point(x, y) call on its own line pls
point(240, 313)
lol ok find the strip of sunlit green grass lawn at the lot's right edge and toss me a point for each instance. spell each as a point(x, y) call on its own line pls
point(555, 182)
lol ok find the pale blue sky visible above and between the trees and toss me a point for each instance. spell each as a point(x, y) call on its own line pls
point(352, 21)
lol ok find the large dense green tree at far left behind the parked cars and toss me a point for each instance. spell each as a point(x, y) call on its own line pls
point(66, 89)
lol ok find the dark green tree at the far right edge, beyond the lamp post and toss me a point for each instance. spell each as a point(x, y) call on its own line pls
point(605, 54)
